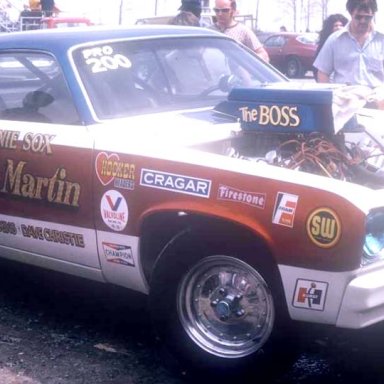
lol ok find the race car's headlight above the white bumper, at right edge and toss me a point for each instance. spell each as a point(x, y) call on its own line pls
point(374, 238)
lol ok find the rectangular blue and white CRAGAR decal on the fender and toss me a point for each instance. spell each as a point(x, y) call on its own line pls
point(175, 183)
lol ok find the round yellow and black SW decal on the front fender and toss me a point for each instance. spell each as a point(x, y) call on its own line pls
point(324, 228)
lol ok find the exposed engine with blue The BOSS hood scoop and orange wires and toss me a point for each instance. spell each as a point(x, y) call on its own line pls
point(305, 130)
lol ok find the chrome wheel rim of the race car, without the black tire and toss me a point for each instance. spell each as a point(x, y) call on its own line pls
point(226, 307)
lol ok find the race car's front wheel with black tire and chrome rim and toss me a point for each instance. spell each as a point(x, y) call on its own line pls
point(219, 314)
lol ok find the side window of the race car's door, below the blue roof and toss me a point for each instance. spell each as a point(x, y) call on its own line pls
point(32, 88)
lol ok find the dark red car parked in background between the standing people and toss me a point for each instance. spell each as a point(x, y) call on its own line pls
point(292, 53)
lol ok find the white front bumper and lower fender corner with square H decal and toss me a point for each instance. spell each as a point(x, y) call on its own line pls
point(350, 299)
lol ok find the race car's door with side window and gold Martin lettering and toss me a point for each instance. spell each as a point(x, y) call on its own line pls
point(45, 167)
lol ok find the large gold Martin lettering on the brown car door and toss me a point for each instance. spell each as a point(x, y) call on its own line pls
point(54, 189)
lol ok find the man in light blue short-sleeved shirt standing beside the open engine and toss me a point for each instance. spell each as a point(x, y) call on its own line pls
point(354, 55)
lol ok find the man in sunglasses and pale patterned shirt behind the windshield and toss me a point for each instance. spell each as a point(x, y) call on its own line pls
point(225, 11)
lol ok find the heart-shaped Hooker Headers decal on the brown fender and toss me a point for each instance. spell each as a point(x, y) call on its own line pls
point(109, 168)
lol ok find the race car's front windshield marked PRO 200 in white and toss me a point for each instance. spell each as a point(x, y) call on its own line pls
point(129, 77)
